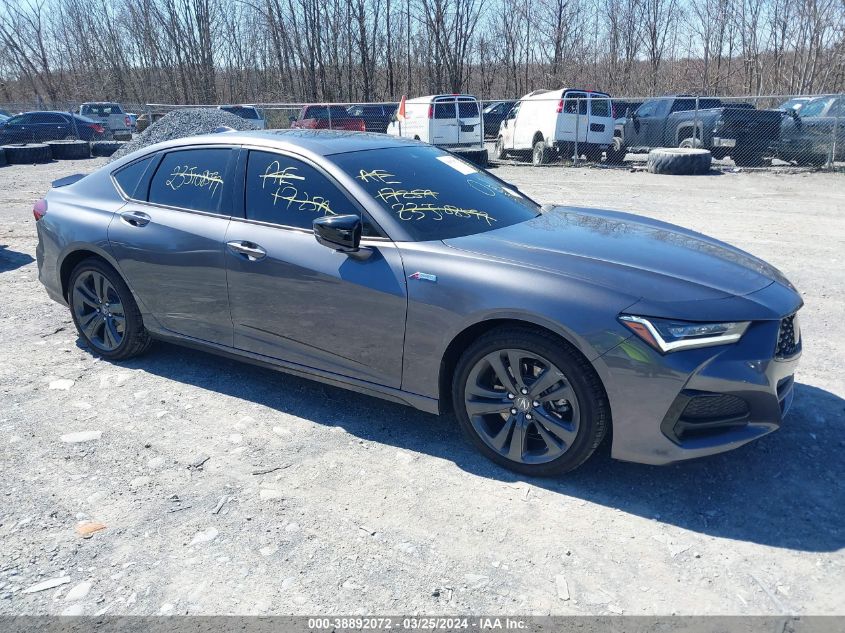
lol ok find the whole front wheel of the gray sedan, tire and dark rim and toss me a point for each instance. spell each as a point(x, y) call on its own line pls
point(529, 402)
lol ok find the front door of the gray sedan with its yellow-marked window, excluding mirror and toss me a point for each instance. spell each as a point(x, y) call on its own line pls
point(296, 300)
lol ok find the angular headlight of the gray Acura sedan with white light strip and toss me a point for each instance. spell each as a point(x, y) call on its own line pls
point(666, 335)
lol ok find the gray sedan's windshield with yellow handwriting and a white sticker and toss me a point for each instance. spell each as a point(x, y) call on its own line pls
point(434, 194)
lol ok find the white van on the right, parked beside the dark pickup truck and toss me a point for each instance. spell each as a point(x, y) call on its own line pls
point(549, 124)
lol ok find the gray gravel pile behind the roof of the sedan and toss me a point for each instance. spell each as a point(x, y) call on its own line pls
point(182, 123)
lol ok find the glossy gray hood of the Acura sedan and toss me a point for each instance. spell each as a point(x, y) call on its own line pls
point(640, 257)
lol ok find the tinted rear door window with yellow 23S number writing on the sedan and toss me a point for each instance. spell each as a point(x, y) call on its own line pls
point(191, 179)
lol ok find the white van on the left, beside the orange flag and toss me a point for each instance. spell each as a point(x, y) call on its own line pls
point(452, 122)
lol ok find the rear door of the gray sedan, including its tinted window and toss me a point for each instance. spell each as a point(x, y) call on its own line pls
point(169, 239)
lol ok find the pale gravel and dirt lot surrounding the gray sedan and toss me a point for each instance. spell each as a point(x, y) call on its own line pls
point(366, 506)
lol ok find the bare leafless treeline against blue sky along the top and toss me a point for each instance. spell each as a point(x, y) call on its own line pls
point(213, 51)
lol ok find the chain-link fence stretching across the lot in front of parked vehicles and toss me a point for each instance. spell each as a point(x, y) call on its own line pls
point(571, 127)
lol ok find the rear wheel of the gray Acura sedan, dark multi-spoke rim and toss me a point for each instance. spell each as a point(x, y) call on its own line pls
point(105, 312)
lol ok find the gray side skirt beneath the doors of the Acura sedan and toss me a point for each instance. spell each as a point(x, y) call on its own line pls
point(423, 403)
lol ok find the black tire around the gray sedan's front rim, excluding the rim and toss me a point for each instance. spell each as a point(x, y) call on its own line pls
point(585, 441)
